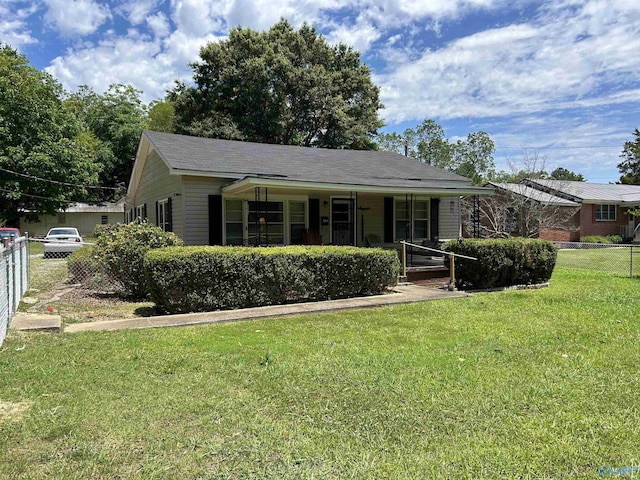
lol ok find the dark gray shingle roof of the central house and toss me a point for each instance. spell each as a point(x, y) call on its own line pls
point(358, 167)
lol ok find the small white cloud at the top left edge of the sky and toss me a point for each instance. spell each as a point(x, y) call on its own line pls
point(76, 17)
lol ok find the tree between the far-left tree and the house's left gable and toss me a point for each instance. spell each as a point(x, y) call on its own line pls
point(116, 118)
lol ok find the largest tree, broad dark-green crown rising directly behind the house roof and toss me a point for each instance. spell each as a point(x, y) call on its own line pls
point(282, 86)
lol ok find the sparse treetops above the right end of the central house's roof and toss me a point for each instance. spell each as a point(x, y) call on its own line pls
point(472, 157)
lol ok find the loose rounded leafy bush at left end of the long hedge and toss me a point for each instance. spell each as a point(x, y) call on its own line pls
point(121, 248)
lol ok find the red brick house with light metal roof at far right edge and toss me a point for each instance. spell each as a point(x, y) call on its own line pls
point(603, 207)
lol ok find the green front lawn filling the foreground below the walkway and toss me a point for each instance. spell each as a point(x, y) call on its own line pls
point(520, 384)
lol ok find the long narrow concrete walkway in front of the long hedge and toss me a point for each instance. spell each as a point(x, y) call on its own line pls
point(403, 294)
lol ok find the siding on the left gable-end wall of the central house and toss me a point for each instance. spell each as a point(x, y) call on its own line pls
point(156, 184)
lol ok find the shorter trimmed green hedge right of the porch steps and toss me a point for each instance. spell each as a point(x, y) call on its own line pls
point(502, 262)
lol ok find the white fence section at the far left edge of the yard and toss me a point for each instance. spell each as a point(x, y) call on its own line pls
point(14, 279)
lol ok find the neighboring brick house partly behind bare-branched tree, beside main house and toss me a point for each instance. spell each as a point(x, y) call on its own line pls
point(518, 209)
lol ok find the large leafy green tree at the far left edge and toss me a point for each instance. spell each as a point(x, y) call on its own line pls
point(46, 159)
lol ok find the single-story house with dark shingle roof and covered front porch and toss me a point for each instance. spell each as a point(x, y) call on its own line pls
point(223, 192)
